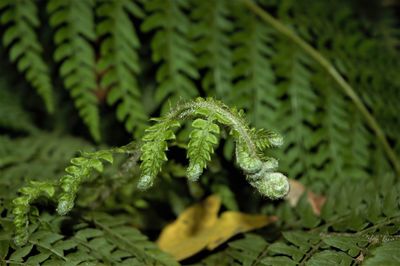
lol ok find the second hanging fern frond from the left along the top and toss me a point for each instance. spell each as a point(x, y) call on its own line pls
point(74, 25)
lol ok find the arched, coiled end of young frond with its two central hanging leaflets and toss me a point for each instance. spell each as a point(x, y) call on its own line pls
point(258, 170)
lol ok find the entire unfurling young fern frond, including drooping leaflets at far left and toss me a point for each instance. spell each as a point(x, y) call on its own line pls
point(250, 156)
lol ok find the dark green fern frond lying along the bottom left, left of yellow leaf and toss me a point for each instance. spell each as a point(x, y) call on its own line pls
point(96, 239)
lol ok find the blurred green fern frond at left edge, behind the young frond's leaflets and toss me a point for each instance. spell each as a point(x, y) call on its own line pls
point(42, 156)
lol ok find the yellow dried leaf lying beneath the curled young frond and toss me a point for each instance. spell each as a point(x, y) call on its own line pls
point(199, 227)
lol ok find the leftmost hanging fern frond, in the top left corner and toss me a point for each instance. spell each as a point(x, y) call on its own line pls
point(21, 20)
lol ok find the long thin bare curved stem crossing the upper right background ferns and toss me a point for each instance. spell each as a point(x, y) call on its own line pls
point(330, 69)
